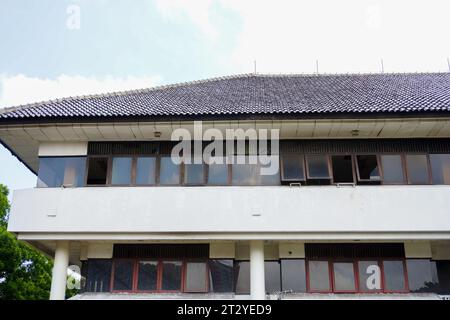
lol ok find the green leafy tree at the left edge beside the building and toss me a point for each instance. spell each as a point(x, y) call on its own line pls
point(24, 272)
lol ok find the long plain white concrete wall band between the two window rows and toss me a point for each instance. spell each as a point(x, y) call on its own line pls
point(232, 209)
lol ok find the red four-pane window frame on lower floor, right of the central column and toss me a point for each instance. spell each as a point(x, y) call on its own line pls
point(356, 275)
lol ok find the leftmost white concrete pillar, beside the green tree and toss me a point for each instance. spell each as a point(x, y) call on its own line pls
point(59, 273)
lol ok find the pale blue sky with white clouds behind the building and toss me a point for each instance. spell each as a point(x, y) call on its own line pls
point(51, 49)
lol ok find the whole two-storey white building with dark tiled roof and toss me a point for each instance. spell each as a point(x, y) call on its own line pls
point(356, 206)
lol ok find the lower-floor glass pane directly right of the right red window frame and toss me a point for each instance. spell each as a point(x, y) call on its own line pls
point(422, 275)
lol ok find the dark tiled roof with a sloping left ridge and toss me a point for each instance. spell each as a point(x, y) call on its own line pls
point(258, 94)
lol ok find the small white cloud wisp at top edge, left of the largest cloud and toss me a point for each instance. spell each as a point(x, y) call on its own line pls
point(198, 11)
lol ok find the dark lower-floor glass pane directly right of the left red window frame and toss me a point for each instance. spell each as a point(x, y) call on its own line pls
point(221, 275)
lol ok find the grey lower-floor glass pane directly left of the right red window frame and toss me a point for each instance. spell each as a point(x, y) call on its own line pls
point(293, 275)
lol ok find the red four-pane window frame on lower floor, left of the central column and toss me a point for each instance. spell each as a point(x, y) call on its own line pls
point(160, 261)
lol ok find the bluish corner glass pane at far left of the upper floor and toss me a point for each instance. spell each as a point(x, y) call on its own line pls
point(59, 171)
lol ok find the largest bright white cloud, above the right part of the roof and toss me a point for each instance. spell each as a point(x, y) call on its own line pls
point(345, 36)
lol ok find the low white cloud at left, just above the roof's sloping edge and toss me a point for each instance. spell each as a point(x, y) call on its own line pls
point(21, 89)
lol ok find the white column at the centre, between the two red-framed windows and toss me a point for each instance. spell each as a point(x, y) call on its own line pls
point(257, 282)
